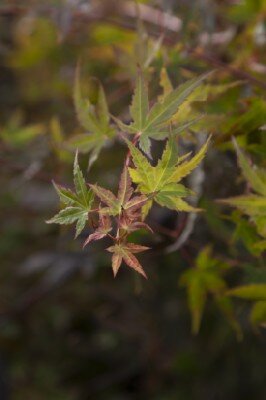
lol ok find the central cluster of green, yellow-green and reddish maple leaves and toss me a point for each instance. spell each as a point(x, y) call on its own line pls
point(120, 215)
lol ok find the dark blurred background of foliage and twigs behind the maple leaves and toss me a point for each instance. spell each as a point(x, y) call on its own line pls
point(68, 330)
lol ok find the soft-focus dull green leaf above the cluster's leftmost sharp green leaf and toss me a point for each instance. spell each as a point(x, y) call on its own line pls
point(93, 116)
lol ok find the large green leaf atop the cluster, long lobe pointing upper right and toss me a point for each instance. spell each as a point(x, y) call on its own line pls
point(152, 122)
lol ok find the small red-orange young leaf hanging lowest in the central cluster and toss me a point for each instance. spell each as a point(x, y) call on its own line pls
point(124, 252)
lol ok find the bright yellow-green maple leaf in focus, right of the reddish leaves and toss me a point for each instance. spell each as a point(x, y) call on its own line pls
point(163, 180)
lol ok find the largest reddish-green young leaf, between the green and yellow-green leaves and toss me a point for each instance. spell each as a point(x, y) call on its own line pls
point(124, 202)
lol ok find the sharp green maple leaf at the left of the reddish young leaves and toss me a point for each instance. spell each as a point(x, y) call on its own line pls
point(77, 204)
